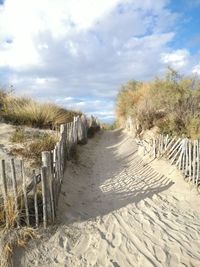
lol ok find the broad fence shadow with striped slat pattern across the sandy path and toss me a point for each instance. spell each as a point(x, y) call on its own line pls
point(114, 178)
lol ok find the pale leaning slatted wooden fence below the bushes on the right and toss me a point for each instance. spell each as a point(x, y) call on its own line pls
point(182, 152)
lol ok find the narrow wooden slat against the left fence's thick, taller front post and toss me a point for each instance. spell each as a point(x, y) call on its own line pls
point(44, 199)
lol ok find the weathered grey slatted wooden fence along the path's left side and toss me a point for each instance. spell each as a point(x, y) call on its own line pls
point(34, 201)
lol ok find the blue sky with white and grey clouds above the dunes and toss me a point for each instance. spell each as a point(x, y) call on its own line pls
point(78, 53)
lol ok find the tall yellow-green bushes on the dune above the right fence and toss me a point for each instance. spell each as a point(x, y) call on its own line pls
point(172, 104)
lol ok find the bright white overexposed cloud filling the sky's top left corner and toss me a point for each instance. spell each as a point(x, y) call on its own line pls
point(22, 21)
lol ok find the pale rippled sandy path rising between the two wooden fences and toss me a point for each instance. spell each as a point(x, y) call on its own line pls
point(114, 211)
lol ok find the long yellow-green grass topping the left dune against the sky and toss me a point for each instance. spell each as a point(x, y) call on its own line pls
point(26, 111)
